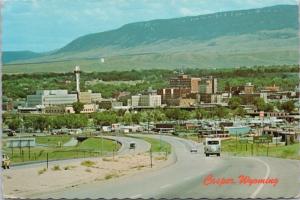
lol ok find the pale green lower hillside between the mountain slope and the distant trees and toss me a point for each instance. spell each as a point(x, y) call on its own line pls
point(161, 61)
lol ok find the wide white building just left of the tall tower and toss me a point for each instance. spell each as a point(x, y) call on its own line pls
point(51, 97)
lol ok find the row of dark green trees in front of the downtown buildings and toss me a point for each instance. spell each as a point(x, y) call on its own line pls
point(48, 122)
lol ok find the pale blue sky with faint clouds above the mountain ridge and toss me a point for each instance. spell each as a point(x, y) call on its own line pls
point(45, 25)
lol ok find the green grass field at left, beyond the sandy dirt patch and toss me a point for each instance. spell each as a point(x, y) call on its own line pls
point(88, 148)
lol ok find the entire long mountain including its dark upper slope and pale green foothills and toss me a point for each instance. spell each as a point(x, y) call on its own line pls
point(263, 36)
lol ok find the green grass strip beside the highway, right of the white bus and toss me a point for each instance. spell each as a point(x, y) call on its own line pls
point(236, 148)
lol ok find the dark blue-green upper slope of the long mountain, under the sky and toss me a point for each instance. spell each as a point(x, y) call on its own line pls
point(199, 28)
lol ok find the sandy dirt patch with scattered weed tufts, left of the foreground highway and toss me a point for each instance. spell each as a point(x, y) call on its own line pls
point(24, 182)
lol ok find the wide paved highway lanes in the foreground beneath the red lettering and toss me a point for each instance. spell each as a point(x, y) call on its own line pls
point(184, 179)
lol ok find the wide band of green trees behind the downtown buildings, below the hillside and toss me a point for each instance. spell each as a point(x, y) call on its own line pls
point(20, 85)
